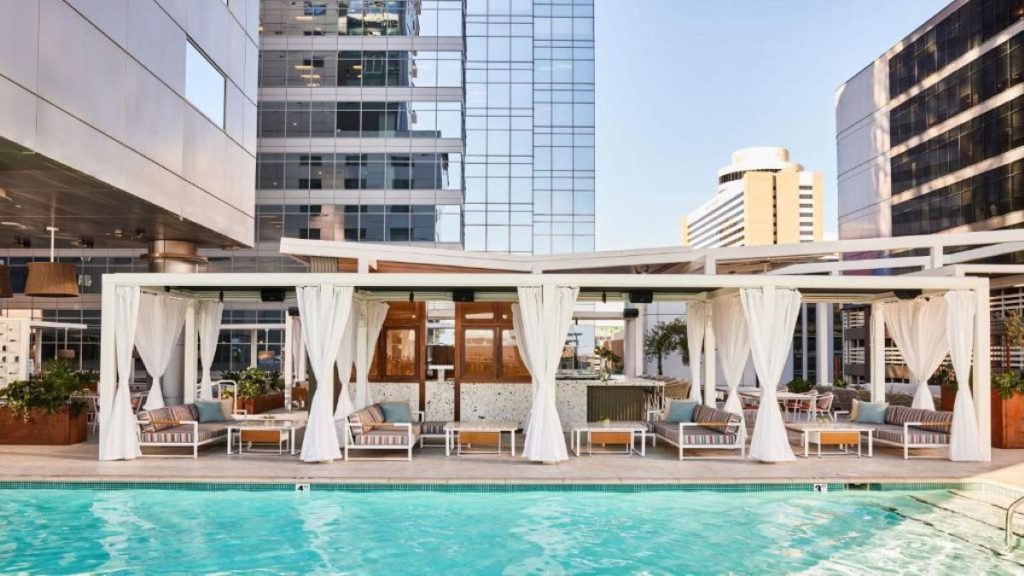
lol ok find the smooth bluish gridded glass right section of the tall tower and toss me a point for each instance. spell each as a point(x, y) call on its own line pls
point(530, 127)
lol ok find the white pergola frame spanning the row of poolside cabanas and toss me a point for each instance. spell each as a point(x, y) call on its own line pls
point(701, 287)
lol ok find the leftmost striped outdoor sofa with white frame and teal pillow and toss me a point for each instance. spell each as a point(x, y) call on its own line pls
point(179, 427)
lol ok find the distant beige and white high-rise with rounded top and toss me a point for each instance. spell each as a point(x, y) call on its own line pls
point(763, 198)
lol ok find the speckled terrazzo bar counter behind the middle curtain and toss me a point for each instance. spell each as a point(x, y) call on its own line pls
point(501, 401)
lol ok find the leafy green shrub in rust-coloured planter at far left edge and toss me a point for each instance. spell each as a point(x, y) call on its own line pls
point(45, 410)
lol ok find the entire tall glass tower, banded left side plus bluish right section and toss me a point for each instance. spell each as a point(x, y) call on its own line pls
point(434, 122)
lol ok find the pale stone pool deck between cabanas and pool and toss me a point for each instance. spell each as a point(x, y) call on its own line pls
point(80, 463)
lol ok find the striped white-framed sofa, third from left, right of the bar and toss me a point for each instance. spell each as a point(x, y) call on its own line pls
point(711, 430)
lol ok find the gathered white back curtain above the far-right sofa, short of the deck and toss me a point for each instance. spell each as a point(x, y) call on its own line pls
point(919, 328)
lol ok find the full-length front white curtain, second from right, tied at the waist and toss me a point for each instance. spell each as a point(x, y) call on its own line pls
point(772, 316)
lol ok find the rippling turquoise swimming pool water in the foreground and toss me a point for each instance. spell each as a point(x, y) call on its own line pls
point(46, 531)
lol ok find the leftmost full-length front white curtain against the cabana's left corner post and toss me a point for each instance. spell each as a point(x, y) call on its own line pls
point(121, 438)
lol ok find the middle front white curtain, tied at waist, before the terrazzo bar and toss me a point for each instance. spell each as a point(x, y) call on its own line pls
point(541, 320)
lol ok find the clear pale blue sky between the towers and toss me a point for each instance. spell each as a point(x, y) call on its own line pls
point(684, 84)
